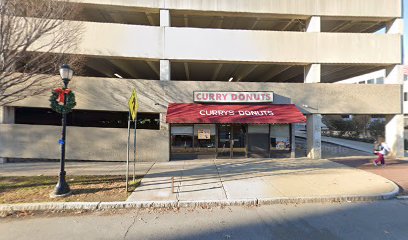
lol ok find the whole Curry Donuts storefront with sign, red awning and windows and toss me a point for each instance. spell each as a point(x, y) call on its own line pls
point(232, 125)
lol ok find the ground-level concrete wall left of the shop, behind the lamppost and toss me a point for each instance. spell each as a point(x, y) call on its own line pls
point(105, 144)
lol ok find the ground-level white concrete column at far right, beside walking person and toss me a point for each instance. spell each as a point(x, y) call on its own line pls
point(394, 134)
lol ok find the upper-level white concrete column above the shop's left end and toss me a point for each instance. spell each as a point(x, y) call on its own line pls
point(165, 67)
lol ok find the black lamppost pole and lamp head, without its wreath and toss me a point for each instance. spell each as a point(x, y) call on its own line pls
point(62, 189)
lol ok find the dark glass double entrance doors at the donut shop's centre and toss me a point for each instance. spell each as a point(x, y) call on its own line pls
point(231, 141)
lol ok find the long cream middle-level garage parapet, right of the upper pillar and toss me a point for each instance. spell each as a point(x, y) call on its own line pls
point(285, 47)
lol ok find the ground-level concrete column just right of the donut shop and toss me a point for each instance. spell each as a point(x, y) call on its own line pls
point(314, 145)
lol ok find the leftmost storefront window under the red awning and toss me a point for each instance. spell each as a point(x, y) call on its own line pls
point(182, 138)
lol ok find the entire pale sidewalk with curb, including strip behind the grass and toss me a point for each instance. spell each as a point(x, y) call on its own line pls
point(221, 182)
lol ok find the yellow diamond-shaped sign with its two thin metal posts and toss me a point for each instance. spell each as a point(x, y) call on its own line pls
point(133, 107)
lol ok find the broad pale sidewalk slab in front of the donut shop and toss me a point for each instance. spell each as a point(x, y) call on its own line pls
point(238, 179)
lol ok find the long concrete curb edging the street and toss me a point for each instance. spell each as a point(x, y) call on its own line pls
point(186, 204)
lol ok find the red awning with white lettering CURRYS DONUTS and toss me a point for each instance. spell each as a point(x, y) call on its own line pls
point(256, 114)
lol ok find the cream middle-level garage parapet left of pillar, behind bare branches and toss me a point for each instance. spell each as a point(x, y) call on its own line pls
point(110, 39)
